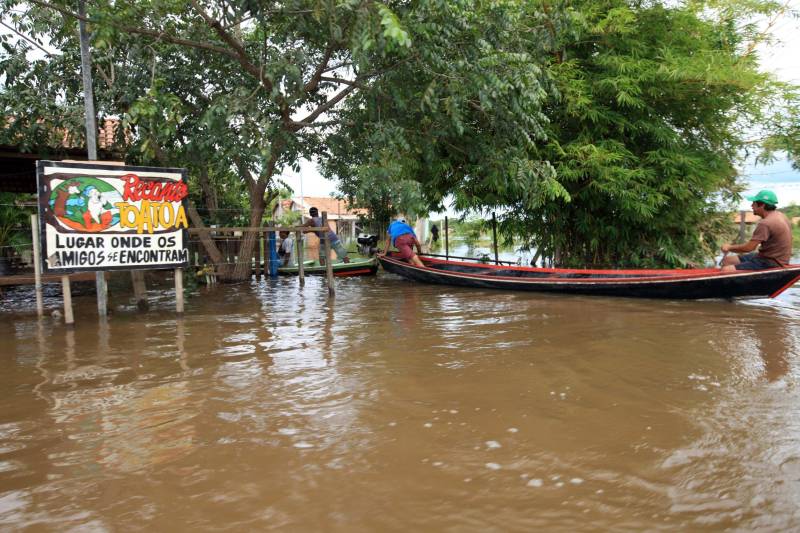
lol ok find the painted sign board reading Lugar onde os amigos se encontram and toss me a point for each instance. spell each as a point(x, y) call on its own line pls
point(103, 217)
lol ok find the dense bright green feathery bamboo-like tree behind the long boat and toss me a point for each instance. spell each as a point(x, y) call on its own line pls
point(645, 133)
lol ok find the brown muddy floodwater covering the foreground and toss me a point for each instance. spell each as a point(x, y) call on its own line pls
point(401, 407)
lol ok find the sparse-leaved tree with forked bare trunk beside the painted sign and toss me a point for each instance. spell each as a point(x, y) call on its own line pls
point(219, 87)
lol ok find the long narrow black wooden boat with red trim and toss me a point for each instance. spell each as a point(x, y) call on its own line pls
point(674, 284)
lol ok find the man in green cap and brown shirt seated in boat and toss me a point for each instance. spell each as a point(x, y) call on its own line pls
point(772, 237)
